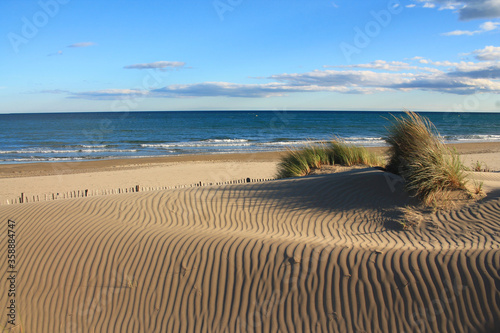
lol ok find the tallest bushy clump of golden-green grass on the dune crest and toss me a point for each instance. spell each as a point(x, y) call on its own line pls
point(422, 159)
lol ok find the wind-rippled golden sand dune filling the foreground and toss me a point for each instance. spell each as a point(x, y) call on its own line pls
point(313, 254)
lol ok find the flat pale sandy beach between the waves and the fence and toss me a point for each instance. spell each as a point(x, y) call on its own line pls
point(41, 180)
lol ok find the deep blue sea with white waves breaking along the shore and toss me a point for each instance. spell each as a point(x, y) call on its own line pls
point(48, 137)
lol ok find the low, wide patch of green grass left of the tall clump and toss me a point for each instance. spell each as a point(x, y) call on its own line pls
point(302, 162)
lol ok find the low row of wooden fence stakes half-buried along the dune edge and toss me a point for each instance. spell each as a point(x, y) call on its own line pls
point(26, 198)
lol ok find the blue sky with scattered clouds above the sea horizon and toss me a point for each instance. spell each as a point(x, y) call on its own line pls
point(78, 56)
